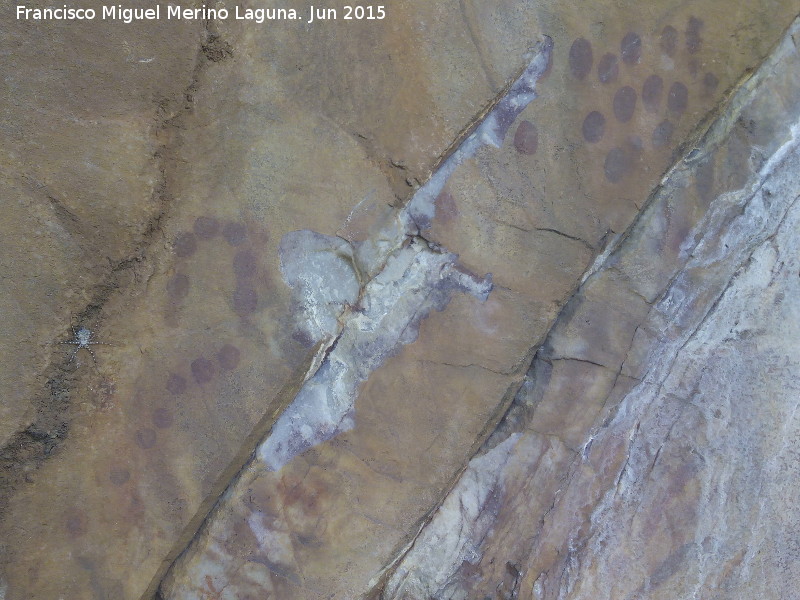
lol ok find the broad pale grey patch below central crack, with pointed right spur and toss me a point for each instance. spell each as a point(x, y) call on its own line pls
point(415, 281)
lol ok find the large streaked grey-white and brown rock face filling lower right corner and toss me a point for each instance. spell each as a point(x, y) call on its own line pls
point(666, 475)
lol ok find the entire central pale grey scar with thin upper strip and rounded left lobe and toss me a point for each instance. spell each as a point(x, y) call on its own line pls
point(410, 277)
